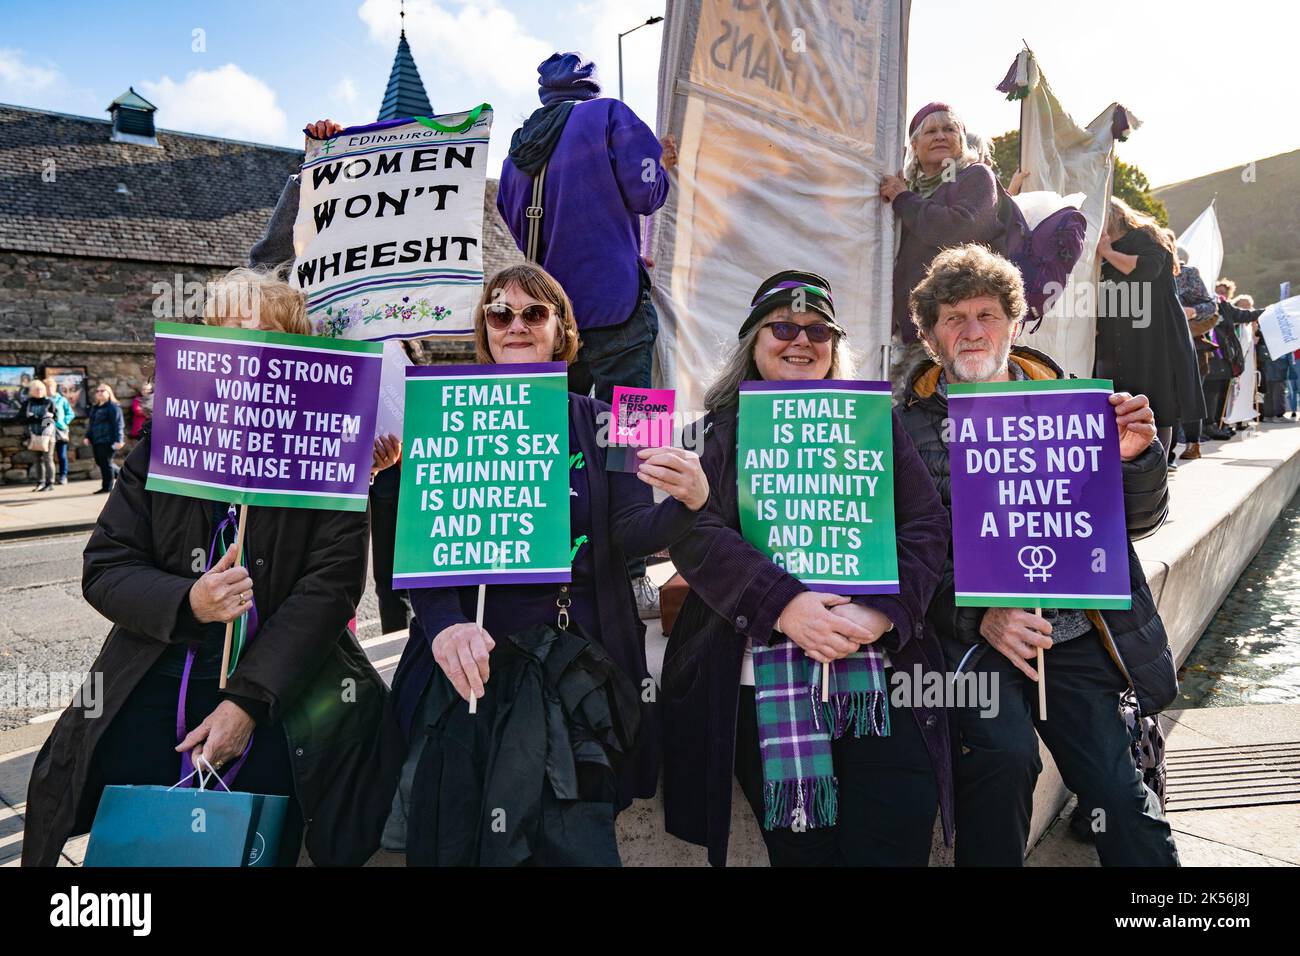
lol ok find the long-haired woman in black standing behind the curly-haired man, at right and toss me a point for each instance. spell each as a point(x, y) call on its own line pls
point(1145, 345)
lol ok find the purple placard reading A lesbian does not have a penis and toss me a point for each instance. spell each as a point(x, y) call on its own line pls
point(1038, 496)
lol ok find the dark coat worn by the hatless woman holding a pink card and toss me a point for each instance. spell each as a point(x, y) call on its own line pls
point(625, 522)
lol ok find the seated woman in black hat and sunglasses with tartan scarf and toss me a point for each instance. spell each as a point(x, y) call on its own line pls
point(886, 778)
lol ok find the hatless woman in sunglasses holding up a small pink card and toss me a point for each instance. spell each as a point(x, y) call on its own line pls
point(526, 317)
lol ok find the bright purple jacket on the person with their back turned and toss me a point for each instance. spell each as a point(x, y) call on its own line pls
point(603, 178)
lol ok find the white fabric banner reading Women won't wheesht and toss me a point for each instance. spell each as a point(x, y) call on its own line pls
point(391, 226)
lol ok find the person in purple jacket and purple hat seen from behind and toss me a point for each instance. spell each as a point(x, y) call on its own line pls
point(604, 170)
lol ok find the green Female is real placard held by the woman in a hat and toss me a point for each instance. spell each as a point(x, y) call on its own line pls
point(816, 482)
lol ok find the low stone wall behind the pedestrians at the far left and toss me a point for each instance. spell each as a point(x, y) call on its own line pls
point(125, 366)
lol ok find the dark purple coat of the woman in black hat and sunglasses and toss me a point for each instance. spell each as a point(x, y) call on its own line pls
point(738, 595)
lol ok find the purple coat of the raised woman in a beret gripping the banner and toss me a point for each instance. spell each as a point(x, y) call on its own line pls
point(974, 207)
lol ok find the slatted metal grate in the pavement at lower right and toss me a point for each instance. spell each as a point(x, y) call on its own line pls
point(1220, 778)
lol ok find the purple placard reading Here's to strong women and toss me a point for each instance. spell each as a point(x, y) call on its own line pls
point(263, 418)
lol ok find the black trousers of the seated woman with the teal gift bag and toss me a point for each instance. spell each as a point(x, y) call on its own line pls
point(140, 750)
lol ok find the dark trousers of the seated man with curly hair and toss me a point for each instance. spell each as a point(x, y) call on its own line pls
point(996, 758)
